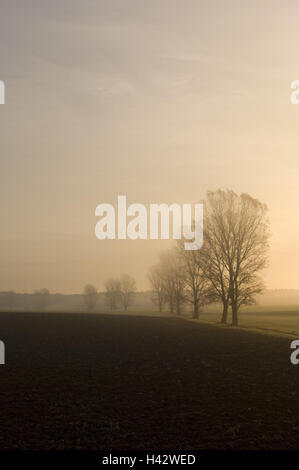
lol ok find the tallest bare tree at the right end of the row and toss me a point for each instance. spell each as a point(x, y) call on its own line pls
point(239, 229)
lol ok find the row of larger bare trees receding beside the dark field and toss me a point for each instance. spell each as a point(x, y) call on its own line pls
point(227, 269)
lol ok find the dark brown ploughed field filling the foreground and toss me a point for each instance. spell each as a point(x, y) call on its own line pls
point(78, 381)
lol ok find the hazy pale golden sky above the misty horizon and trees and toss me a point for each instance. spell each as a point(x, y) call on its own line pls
point(158, 100)
